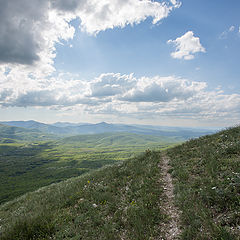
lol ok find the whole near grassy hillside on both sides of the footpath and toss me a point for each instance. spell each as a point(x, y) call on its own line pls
point(126, 200)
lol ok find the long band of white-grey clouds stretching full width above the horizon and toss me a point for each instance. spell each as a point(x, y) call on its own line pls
point(120, 95)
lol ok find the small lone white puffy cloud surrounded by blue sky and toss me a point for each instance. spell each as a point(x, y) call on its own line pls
point(186, 46)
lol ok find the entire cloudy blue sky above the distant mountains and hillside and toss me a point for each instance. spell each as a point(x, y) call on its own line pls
point(169, 62)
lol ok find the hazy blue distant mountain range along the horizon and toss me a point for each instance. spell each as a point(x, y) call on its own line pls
point(71, 129)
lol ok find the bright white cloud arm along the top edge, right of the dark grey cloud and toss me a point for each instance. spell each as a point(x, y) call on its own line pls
point(98, 15)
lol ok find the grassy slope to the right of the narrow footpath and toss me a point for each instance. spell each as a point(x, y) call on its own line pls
point(207, 185)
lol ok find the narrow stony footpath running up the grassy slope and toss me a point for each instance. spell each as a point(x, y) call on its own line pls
point(171, 228)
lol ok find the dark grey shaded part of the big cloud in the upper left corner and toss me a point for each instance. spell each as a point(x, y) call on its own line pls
point(18, 38)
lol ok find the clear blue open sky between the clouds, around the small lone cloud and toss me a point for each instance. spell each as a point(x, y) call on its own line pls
point(144, 46)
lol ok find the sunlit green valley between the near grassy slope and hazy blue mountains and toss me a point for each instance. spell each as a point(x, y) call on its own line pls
point(25, 166)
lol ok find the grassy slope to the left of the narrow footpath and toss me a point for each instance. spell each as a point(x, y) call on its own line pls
point(121, 201)
